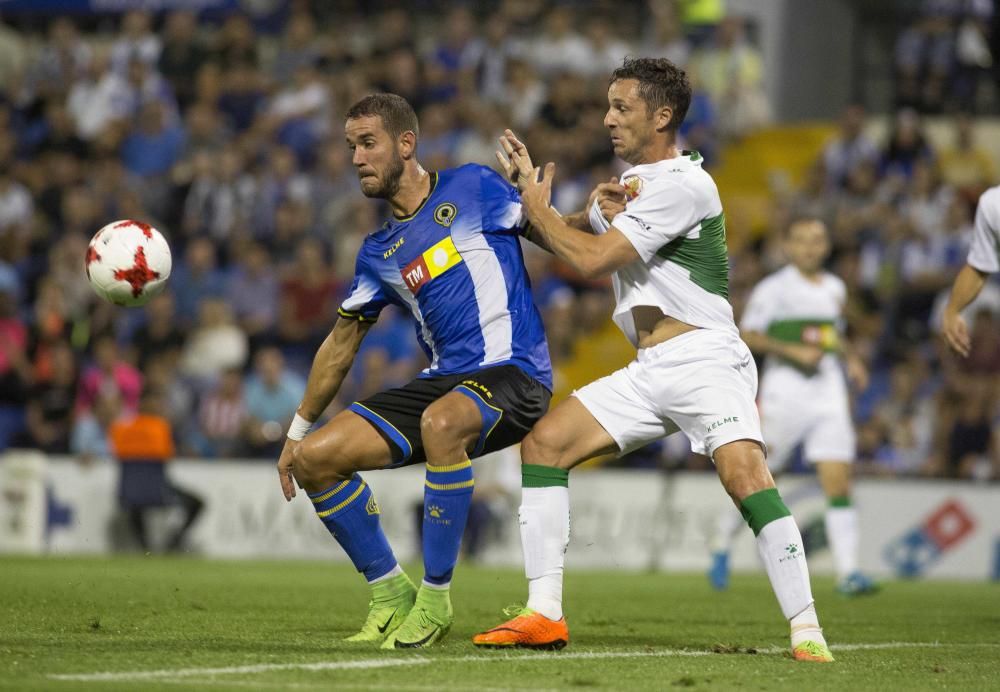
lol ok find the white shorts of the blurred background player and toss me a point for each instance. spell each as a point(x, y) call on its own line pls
point(825, 432)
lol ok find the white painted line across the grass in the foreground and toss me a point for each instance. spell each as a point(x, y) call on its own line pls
point(416, 660)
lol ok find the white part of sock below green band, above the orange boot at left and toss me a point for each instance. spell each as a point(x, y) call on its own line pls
point(544, 520)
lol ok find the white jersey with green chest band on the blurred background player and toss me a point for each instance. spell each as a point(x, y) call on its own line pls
point(789, 307)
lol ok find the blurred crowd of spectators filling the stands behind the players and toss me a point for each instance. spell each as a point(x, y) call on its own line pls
point(226, 135)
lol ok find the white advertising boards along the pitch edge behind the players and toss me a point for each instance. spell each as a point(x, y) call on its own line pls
point(621, 519)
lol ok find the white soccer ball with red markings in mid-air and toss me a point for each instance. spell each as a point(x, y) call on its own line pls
point(128, 262)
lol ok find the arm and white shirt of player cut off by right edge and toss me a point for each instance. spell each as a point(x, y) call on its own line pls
point(983, 260)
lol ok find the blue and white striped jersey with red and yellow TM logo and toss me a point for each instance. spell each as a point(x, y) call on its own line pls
point(456, 265)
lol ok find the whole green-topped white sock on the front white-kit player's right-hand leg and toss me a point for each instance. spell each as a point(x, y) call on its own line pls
point(779, 543)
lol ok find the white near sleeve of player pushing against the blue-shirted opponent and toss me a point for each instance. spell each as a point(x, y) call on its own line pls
point(660, 214)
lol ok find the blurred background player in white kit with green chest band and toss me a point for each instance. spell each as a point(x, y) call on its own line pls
point(794, 317)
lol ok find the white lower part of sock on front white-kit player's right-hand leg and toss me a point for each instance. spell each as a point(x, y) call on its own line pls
point(780, 546)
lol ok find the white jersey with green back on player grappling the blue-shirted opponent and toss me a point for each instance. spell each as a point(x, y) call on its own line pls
point(673, 217)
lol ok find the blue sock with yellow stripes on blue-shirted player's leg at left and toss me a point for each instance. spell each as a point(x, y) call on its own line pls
point(350, 513)
